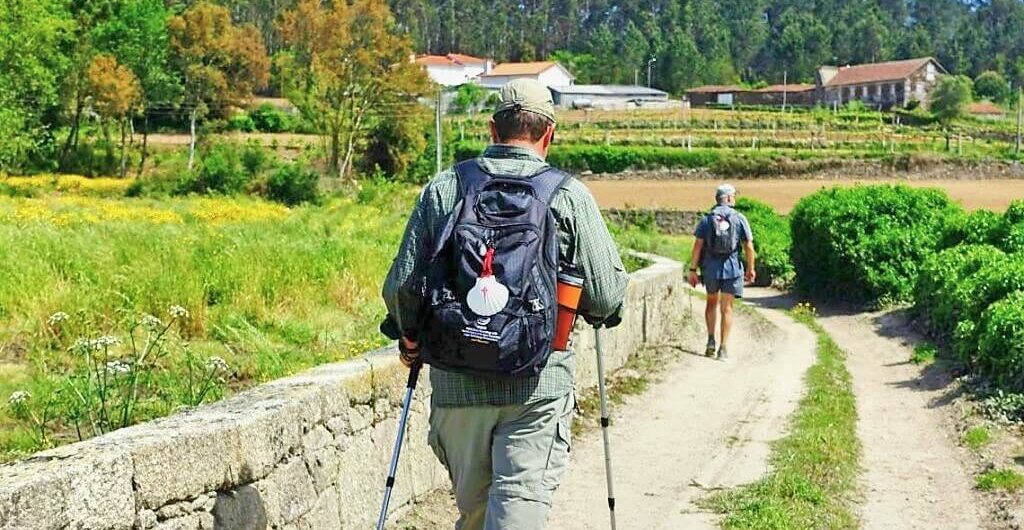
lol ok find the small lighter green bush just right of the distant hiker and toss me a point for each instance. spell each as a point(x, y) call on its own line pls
point(772, 240)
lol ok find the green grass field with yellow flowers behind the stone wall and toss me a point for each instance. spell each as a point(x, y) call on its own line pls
point(272, 291)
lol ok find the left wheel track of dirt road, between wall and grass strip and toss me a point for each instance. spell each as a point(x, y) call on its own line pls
point(706, 425)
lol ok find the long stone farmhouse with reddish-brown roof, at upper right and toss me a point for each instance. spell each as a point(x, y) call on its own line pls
point(881, 85)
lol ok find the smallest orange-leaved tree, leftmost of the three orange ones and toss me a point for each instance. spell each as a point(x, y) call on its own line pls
point(116, 97)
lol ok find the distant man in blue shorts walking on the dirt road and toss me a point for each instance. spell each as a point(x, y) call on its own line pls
point(719, 237)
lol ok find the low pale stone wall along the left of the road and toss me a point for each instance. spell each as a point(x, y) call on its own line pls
point(307, 453)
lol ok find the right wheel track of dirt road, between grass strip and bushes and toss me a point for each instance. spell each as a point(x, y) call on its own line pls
point(915, 475)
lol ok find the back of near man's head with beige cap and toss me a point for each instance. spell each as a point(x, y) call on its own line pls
point(525, 112)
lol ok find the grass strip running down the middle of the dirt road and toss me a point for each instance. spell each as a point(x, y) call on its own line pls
point(815, 468)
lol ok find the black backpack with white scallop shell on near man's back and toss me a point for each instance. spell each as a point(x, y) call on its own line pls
point(501, 236)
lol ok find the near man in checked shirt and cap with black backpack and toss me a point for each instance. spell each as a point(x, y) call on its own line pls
point(482, 313)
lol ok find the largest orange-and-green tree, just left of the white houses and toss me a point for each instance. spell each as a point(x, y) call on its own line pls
point(348, 66)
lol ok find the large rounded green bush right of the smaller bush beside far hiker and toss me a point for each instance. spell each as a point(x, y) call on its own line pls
point(867, 244)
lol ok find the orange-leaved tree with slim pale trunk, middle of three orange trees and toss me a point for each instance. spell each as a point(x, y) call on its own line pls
point(221, 64)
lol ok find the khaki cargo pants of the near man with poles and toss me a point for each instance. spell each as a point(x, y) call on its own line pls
point(505, 462)
